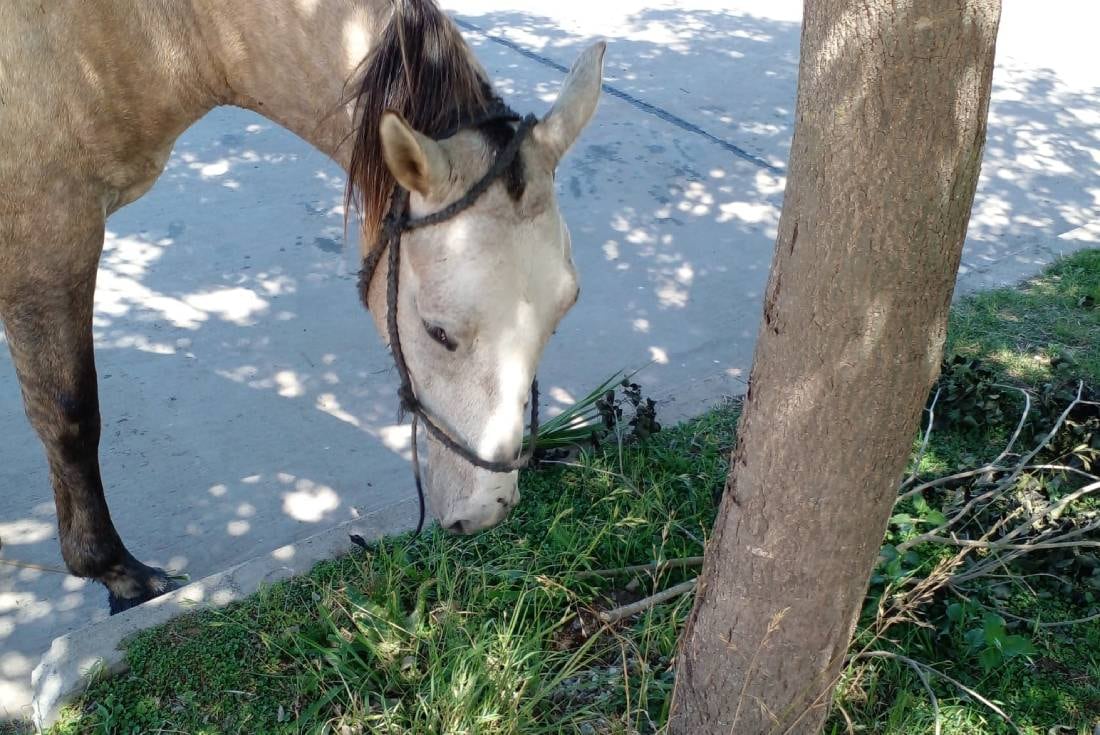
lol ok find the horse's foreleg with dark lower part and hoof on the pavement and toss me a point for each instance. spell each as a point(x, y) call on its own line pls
point(47, 306)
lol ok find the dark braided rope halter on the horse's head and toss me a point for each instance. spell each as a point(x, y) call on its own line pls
point(394, 225)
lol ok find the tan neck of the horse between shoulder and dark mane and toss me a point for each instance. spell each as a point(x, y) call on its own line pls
point(291, 61)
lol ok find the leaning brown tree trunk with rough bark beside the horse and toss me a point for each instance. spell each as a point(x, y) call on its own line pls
point(890, 127)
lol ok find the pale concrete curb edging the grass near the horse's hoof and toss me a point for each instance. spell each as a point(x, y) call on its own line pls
point(64, 671)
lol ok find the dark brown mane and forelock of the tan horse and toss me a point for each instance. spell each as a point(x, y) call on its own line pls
point(423, 69)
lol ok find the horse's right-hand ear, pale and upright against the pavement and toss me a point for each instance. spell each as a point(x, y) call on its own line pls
point(580, 93)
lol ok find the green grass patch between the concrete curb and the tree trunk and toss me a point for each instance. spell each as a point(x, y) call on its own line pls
point(490, 634)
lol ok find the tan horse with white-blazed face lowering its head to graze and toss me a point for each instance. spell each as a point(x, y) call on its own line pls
point(93, 96)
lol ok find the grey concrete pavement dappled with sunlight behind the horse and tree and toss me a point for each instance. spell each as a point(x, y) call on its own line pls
point(248, 402)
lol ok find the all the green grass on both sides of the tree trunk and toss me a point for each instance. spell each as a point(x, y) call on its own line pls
point(500, 633)
